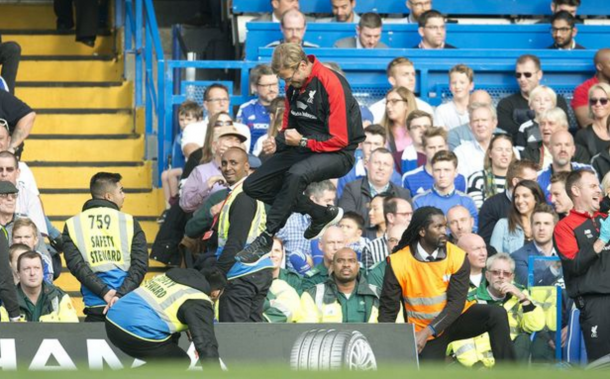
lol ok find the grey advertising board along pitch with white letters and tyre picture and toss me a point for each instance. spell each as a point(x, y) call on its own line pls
point(38, 346)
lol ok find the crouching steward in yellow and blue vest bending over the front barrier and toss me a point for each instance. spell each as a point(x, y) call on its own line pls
point(146, 323)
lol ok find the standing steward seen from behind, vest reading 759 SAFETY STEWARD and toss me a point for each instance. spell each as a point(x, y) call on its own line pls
point(105, 249)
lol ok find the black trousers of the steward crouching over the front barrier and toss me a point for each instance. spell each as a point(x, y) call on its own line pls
point(147, 351)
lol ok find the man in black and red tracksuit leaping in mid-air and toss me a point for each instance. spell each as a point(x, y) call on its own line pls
point(321, 130)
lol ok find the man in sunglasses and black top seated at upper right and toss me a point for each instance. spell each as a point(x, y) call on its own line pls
point(512, 110)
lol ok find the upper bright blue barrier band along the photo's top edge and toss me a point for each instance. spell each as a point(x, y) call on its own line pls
point(450, 7)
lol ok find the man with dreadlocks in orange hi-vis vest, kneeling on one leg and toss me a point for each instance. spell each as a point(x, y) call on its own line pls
point(431, 276)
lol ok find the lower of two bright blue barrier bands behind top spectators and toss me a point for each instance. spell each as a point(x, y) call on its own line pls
point(405, 36)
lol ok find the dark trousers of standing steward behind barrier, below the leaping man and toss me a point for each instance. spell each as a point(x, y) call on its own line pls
point(243, 298)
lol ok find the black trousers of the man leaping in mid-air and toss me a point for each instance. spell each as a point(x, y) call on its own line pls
point(281, 181)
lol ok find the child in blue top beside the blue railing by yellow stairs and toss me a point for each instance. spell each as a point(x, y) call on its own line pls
point(188, 113)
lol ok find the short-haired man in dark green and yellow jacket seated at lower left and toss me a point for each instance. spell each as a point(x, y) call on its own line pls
point(39, 301)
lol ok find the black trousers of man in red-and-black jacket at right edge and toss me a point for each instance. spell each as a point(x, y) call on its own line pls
point(595, 324)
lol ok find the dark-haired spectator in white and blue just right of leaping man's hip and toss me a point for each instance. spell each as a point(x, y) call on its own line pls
point(375, 138)
